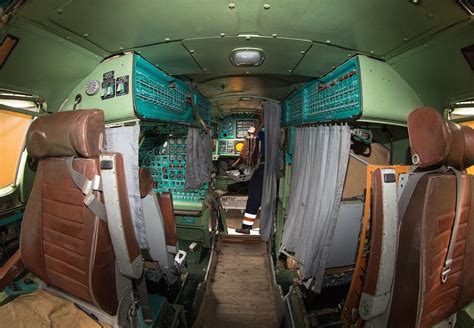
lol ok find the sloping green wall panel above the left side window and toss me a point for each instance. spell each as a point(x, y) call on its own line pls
point(44, 64)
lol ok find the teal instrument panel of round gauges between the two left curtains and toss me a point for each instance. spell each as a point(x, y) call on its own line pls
point(165, 156)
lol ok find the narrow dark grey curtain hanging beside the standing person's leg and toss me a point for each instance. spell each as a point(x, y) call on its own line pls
point(272, 112)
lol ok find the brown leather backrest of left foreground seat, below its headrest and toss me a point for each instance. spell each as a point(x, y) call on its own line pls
point(62, 241)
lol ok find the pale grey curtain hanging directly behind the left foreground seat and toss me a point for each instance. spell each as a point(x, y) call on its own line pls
point(124, 140)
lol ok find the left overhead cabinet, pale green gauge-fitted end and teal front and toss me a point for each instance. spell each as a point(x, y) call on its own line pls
point(127, 87)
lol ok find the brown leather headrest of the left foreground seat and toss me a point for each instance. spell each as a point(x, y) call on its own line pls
point(72, 133)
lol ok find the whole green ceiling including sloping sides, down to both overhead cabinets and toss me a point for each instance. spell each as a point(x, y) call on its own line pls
point(300, 38)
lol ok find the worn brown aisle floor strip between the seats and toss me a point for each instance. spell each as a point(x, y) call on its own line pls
point(240, 291)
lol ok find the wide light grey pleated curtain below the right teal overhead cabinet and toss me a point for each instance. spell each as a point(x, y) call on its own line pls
point(319, 168)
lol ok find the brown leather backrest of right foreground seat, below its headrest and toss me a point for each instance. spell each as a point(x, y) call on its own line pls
point(420, 299)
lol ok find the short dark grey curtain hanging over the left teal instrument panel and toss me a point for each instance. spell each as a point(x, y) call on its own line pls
point(198, 159)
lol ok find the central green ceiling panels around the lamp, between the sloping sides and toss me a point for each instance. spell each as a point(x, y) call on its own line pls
point(167, 29)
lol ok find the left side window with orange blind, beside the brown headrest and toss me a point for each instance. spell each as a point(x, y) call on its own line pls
point(14, 123)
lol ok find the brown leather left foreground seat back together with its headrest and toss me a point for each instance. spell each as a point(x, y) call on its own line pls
point(62, 241)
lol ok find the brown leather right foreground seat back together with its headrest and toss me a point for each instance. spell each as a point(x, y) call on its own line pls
point(420, 297)
